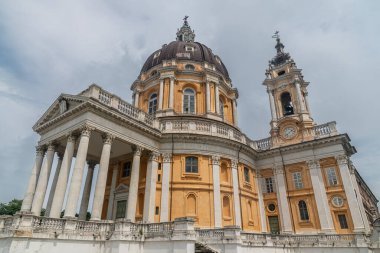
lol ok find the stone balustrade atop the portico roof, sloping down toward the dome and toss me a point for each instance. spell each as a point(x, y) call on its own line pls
point(109, 99)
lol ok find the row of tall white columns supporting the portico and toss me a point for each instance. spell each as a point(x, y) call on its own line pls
point(38, 181)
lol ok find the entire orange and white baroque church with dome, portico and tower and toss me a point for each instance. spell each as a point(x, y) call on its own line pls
point(176, 174)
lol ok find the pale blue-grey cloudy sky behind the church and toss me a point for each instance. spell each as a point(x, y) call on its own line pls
point(53, 47)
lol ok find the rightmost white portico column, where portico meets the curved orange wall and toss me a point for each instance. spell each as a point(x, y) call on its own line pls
point(150, 188)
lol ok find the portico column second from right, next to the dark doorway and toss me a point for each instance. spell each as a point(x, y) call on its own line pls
point(134, 185)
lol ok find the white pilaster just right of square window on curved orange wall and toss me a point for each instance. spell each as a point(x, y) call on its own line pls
point(216, 183)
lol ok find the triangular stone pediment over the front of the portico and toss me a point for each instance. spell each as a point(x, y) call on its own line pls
point(62, 105)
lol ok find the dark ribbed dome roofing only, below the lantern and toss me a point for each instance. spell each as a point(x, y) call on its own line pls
point(177, 50)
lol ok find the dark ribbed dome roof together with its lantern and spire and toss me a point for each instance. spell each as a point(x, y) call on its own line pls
point(184, 48)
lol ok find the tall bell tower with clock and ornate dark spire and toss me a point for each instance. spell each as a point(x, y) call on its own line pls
point(287, 90)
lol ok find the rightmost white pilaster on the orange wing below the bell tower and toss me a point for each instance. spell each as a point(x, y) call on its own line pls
point(349, 189)
